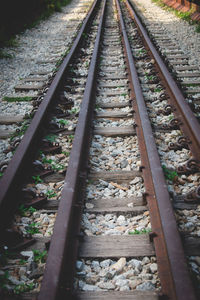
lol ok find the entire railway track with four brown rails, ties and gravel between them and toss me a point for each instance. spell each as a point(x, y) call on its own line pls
point(115, 228)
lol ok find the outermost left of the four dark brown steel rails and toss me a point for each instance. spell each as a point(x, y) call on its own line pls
point(19, 165)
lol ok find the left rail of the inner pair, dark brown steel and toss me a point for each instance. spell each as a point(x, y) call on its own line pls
point(58, 277)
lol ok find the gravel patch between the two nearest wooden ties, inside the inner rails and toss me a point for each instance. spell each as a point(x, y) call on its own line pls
point(121, 275)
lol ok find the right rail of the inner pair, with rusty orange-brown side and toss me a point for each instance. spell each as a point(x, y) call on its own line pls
point(173, 271)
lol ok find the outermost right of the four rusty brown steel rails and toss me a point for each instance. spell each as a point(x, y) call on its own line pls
point(190, 125)
